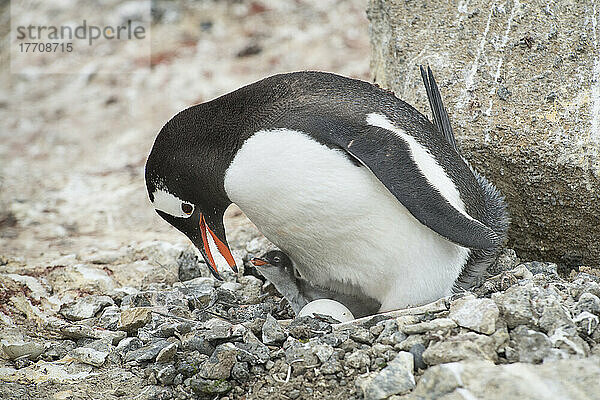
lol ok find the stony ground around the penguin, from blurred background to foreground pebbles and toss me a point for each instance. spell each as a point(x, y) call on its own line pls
point(101, 299)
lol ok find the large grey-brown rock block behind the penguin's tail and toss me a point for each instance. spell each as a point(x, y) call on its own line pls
point(521, 82)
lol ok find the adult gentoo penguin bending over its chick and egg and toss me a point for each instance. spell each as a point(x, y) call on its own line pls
point(365, 195)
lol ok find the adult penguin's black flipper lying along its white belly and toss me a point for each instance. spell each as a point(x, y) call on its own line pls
point(390, 159)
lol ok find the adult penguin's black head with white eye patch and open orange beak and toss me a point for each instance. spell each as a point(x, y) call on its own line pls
point(184, 179)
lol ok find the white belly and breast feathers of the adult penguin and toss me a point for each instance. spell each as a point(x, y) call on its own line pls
point(339, 224)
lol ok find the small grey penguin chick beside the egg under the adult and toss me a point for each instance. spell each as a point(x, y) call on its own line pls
point(277, 267)
